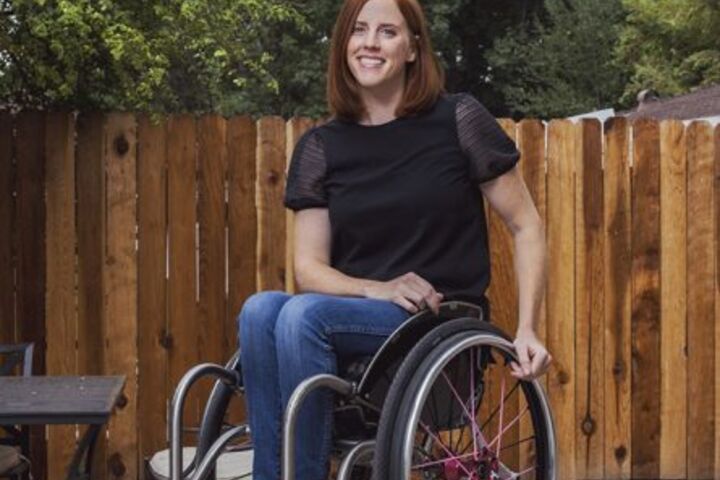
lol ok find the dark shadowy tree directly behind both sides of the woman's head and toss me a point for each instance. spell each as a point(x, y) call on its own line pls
point(461, 30)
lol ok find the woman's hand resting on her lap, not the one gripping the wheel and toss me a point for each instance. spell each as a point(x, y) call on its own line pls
point(410, 291)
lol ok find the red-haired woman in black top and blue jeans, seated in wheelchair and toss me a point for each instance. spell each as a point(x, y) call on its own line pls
point(389, 221)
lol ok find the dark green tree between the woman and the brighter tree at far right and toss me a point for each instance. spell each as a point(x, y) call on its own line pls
point(563, 62)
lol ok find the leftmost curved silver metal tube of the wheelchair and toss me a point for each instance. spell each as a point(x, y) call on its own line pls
point(228, 376)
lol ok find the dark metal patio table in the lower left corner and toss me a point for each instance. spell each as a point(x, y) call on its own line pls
point(62, 400)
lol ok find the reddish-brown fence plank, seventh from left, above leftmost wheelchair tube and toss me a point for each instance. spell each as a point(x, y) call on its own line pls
point(182, 220)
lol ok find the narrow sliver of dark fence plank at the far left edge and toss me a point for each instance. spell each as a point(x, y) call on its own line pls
point(7, 205)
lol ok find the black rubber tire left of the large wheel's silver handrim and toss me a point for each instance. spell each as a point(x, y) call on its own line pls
point(403, 377)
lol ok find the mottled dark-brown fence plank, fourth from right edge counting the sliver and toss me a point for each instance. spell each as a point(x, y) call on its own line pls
point(646, 300)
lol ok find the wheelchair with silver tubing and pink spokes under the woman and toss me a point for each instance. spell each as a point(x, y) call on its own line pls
point(436, 401)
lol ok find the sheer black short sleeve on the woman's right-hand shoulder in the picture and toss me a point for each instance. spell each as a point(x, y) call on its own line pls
point(490, 151)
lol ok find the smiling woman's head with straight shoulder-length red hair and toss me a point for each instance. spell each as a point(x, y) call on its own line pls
point(395, 34)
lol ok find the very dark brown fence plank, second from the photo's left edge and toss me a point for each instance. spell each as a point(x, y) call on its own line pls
point(30, 255)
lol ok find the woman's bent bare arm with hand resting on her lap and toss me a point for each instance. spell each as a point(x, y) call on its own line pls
point(313, 272)
